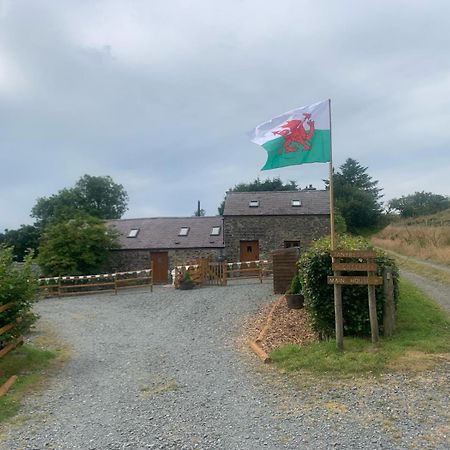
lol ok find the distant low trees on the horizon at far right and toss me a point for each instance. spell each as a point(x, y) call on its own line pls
point(419, 204)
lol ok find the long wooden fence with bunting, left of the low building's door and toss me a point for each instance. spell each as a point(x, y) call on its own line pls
point(95, 284)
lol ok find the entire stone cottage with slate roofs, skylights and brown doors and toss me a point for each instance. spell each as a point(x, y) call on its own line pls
point(253, 225)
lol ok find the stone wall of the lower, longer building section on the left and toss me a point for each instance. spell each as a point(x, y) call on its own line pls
point(124, 260)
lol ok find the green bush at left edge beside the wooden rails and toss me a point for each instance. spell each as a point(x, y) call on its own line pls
point(17, 285)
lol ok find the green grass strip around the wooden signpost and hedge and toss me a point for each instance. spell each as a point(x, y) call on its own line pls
point(421, 339)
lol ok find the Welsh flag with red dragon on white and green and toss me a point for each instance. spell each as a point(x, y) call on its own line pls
point(299, 136)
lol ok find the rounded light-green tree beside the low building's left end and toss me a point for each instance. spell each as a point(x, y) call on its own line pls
point(78, 246)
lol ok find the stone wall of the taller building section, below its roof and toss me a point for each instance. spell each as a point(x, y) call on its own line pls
point(271, 232)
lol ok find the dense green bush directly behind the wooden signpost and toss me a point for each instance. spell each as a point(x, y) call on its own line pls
point(314, 267)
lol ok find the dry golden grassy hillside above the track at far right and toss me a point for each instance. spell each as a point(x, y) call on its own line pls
point(425, 237)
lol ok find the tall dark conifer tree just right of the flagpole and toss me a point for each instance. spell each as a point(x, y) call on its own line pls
point(357, 196)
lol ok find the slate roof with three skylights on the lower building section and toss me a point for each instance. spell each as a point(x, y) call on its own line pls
point(162, 232)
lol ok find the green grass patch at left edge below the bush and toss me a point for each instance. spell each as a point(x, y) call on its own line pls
point(29, 364)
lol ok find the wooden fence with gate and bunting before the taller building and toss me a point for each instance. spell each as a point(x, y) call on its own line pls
point(204, 271)
